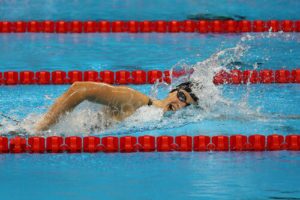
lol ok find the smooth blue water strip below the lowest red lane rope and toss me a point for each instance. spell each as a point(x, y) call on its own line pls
point(235, 175)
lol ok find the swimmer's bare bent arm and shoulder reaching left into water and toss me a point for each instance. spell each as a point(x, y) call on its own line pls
point(119, 98)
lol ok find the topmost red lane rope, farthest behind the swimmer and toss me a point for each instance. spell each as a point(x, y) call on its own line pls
point(160, 26)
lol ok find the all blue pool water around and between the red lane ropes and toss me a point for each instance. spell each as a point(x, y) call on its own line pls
point(264, 109)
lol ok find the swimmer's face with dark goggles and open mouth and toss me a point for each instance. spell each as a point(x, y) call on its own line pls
point(177, 100)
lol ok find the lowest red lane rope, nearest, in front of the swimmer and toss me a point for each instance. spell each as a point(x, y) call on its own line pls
point(148, 143)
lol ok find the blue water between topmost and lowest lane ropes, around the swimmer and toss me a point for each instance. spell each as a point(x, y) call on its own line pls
point(264, 109)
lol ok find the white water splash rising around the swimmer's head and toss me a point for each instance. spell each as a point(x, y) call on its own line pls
point(212, 103)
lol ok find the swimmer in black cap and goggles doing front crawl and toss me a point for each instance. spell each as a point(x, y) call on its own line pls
point(120, 101)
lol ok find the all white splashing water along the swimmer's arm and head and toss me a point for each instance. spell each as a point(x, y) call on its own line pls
point(88, 118)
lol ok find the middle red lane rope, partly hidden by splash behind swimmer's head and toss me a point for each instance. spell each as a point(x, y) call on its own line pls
point(124, 77)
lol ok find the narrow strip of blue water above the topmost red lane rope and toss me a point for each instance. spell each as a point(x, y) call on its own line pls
point(147, 10)
